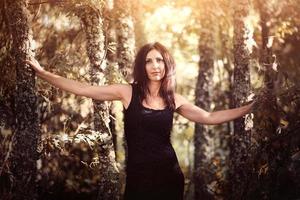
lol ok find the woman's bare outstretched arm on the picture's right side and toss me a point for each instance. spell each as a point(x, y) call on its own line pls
point(196, 114)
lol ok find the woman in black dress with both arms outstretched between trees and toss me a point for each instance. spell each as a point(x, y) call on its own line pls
point(152, 169)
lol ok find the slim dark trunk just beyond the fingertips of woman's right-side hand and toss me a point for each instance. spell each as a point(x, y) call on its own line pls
point(268, 112)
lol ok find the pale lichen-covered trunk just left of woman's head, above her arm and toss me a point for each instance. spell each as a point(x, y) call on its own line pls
point(125, 37)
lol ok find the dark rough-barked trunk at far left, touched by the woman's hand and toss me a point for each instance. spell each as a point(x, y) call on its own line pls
point(25, 140)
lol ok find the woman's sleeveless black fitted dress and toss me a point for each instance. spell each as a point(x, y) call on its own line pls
point(152, 168)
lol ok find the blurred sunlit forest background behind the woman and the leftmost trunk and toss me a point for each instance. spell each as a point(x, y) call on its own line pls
point(215, 44)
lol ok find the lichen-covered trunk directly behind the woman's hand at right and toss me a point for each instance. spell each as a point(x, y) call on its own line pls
point(240, 144)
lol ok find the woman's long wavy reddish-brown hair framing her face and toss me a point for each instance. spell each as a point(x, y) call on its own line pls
point(167, 88)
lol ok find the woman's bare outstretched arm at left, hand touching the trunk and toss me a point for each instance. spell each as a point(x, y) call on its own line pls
point(109, 92)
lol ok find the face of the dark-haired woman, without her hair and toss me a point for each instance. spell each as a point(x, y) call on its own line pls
point(155, 66)
